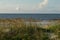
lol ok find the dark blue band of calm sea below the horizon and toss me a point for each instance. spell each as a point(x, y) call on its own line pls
point(35, 16)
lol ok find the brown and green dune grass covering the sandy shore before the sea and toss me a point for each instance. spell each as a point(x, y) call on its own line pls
point(16, 29)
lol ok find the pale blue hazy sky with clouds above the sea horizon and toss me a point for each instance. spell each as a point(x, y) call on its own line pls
point(30, 6)
